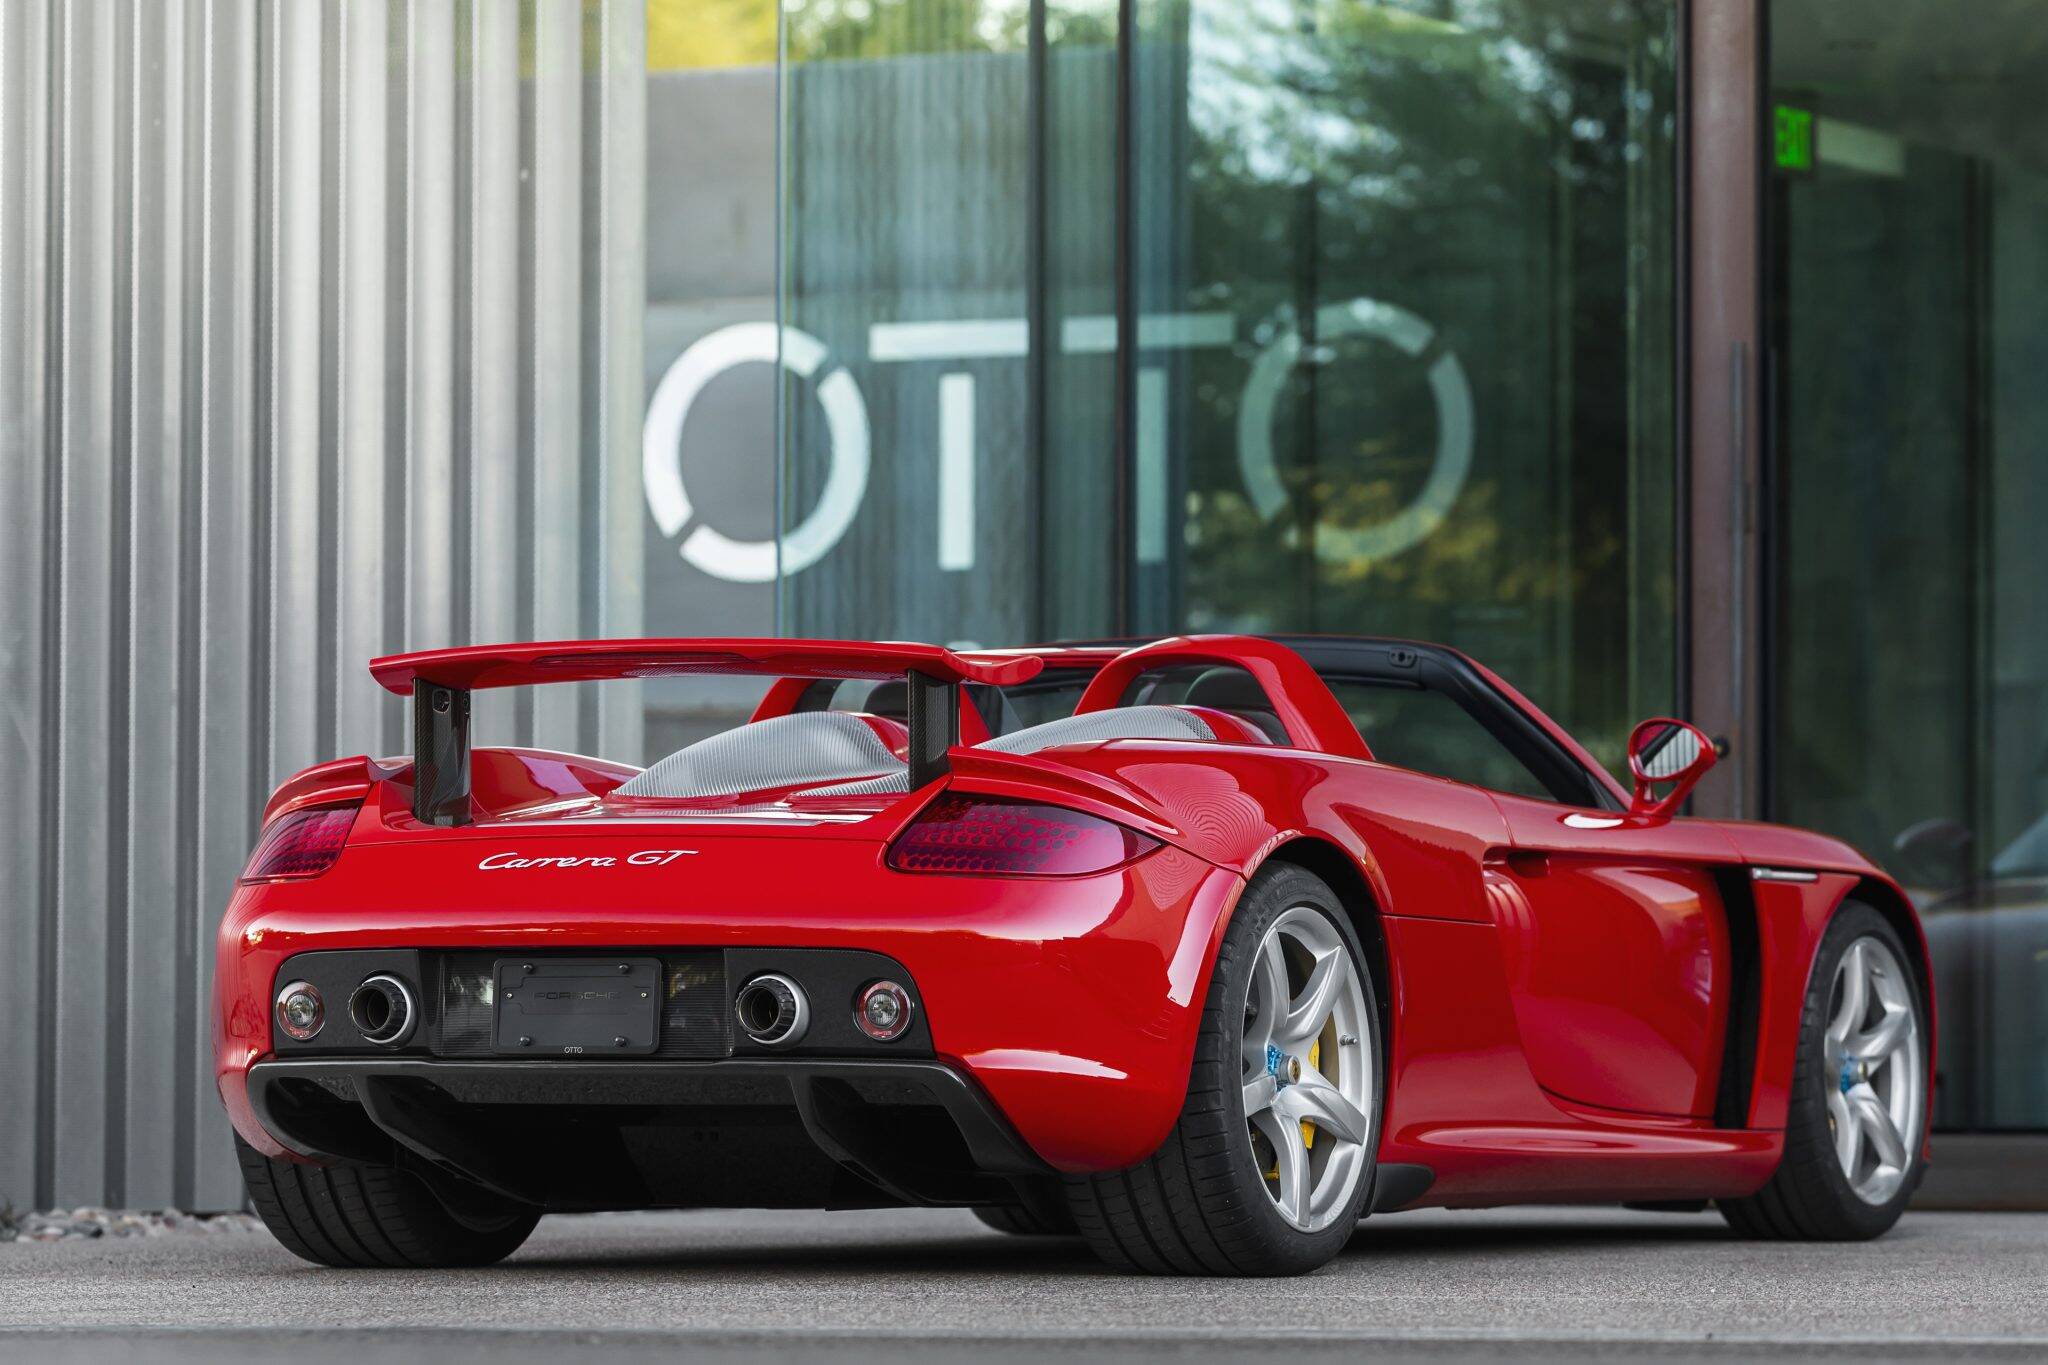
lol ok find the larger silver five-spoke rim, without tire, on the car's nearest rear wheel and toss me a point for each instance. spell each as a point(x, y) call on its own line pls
point(1308, 1067)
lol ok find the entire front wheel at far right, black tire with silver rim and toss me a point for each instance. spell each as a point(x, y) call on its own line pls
point(1859, 1112)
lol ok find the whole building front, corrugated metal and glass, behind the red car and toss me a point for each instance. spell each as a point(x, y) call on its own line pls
point(331, 331)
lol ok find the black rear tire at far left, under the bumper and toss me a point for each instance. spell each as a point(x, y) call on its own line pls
point(378, 1217)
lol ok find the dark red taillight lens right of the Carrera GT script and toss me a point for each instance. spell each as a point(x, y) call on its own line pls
point(1005, 838)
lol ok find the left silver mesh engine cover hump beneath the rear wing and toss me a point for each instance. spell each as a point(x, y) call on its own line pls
point(814, 746)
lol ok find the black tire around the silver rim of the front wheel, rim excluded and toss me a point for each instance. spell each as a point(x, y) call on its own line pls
point(1809, 1198)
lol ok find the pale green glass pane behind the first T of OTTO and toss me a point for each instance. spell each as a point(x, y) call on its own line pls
point(949, 459)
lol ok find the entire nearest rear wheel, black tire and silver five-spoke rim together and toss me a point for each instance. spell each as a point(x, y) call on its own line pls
point(1271, 1163)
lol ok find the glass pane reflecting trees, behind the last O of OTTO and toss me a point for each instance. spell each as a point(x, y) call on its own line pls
point(1406, 333)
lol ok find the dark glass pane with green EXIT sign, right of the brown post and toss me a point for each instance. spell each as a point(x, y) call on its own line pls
point(1910, 713)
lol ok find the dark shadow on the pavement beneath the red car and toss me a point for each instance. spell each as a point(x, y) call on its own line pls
point(990, 1253)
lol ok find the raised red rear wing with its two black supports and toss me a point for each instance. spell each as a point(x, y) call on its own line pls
point(441, 680)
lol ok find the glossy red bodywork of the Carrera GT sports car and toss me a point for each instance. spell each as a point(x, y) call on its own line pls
point(1558, 981)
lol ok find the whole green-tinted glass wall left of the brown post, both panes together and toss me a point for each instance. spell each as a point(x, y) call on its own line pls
point(1199, 316)
